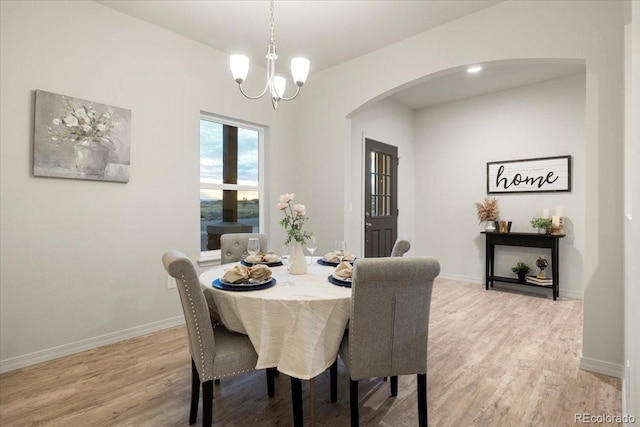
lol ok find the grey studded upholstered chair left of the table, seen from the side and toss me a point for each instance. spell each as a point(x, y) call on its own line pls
point(215, 352)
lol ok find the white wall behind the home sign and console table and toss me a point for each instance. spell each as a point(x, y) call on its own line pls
point(454, 143)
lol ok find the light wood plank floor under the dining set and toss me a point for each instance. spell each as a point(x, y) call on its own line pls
point(496, 358)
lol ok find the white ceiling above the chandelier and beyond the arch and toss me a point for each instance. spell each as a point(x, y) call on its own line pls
point(330, 32)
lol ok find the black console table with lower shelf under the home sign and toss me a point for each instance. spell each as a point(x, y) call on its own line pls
point(532, 240)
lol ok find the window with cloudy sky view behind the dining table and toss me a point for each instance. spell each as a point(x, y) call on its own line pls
point(230, 180)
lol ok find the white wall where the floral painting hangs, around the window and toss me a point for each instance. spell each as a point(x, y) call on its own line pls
point(81, 259)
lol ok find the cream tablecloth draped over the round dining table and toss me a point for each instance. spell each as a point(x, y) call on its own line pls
point(297, 329)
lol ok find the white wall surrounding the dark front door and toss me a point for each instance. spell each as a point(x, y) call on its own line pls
point(391, 123)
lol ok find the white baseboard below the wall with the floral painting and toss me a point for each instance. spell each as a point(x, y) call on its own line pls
point(88, 344)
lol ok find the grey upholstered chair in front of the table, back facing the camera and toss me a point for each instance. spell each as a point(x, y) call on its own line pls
point(389, 324)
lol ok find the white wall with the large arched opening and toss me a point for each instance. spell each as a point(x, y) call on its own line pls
point(588, 30)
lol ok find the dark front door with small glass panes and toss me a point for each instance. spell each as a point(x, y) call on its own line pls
point(380, 198)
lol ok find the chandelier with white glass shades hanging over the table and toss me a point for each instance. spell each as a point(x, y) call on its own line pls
point(275, 84)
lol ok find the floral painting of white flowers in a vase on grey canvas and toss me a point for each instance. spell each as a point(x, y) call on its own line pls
point(79, 139)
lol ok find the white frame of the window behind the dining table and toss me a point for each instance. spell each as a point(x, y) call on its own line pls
point(209, 257)
